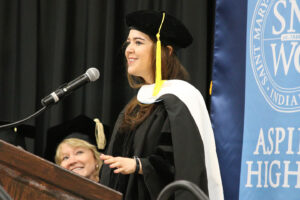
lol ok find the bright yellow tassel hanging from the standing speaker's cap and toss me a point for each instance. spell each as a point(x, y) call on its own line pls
point(158, 81)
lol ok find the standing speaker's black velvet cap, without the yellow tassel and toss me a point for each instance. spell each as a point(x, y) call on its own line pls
point(172, 32)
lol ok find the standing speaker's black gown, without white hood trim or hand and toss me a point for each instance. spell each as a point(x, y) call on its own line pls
point(169, 146)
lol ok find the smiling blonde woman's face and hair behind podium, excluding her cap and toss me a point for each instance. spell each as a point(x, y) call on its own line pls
point(80, 157)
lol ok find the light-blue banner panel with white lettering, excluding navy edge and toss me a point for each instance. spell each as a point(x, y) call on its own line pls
point(270, 167)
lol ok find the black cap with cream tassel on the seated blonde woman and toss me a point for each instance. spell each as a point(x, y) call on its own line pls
point(80, 127)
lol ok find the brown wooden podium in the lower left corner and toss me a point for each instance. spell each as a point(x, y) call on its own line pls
point(27, 176)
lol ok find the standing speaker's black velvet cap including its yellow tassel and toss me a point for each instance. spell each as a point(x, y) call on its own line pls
point(165, 28)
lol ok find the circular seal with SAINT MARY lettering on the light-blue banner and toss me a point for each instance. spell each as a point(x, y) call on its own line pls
point(275, 52)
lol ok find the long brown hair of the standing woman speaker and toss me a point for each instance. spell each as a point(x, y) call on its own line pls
point(136, 112)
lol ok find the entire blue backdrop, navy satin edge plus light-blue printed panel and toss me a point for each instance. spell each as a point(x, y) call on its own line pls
point(255, 106)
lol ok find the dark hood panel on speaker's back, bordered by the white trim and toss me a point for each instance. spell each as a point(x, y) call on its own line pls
point(188, 148)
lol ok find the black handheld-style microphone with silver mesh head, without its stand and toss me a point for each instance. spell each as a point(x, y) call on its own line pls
point(92, 74)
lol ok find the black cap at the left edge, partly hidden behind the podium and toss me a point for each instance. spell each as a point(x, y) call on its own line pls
point(22, 135)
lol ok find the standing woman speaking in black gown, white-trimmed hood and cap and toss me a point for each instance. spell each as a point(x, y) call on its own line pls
point(164, 133)
